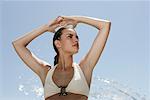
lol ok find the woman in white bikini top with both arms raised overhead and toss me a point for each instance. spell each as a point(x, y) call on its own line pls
point(66, 80)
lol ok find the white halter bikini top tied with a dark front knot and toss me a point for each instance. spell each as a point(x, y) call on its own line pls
point(77, 85)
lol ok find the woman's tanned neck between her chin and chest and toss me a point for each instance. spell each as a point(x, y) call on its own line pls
point(65, 61)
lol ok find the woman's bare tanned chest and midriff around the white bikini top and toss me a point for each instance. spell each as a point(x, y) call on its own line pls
point(63, 78)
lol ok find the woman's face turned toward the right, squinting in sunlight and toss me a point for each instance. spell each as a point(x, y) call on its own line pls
point(69, 42)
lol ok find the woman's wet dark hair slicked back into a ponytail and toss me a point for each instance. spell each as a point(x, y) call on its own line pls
point(57, 36)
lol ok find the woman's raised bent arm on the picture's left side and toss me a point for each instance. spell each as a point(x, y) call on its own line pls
point(37, 65)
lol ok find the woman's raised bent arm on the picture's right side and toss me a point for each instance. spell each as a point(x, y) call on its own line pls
point(91, 58)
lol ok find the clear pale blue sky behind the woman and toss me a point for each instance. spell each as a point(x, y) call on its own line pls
point(124, 59)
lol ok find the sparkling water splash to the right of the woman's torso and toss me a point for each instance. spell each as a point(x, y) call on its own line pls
point(112, 90)
